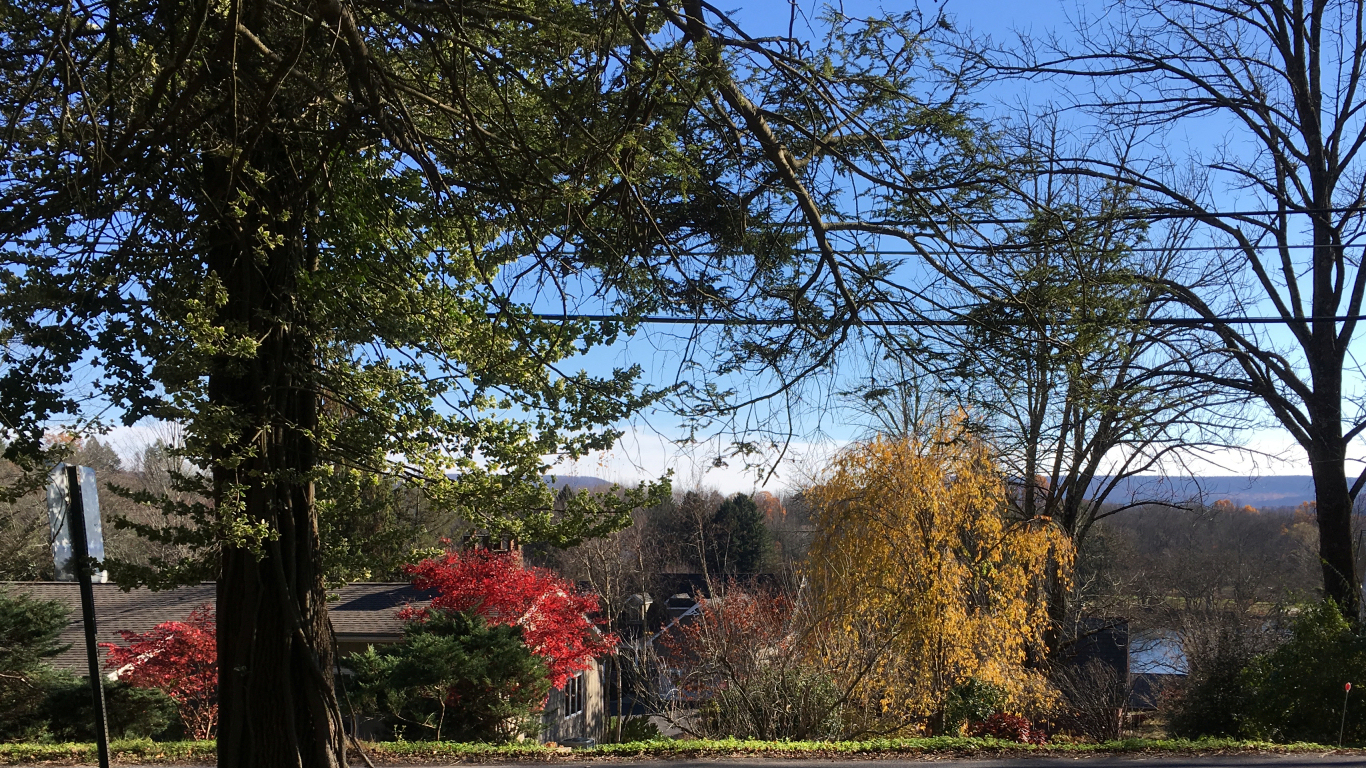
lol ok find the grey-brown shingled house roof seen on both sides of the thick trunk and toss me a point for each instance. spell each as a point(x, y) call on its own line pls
point(361, 613)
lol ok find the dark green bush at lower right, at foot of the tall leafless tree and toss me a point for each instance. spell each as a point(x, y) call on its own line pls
point(1297, 691)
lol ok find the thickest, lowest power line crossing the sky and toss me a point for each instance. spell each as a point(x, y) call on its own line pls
point(916, 323)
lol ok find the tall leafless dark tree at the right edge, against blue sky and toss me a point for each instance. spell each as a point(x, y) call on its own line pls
point(1282, 197)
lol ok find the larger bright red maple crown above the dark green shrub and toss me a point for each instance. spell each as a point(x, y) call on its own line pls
point(497, 586)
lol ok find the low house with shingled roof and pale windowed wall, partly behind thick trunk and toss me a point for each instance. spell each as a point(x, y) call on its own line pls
point(363, 616)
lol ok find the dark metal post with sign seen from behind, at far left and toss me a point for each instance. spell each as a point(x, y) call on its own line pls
point(79, 532)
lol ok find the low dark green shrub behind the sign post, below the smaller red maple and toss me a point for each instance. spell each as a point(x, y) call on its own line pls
point(132, 713)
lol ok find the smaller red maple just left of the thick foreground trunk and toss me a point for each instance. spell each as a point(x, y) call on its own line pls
point(181, 659)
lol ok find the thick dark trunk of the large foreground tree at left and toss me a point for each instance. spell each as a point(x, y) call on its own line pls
point(275, 642)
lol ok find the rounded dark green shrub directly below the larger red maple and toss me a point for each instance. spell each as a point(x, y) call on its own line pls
point(453, 677)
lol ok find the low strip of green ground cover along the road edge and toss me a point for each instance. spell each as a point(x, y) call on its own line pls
point(144, 751)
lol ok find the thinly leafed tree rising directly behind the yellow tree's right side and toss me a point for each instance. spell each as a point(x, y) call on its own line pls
point(1057, 361)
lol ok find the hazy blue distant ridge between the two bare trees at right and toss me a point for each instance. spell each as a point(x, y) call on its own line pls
point(1268, 491)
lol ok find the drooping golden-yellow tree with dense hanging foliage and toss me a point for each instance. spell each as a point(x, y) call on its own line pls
point(921, 583)
